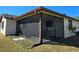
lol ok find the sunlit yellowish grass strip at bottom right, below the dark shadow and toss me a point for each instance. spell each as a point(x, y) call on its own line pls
point(54, 48)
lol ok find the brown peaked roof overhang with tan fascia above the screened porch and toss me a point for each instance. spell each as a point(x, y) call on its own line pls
point(45, 11)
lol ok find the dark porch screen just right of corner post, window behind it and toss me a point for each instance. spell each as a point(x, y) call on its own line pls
point(48, 25)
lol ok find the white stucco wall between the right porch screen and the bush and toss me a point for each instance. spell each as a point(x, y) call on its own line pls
point(67, 32)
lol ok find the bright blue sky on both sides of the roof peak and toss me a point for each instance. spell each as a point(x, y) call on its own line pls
point(19, 10)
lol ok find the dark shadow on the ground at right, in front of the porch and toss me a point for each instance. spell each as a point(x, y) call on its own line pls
point(71, 41)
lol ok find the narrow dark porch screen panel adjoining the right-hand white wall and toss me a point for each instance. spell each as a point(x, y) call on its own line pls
point(59, 27)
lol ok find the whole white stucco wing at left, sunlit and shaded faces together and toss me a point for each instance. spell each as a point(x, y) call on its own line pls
point(9, 26)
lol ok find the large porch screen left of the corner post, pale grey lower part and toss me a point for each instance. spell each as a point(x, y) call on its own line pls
point(30, 27)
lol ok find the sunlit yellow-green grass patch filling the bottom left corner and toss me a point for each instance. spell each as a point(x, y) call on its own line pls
point(6, 44)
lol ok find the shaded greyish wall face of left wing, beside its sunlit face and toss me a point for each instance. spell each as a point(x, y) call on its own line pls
point(10, 27)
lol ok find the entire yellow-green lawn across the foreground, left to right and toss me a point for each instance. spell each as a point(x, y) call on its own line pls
point(6, 44)
